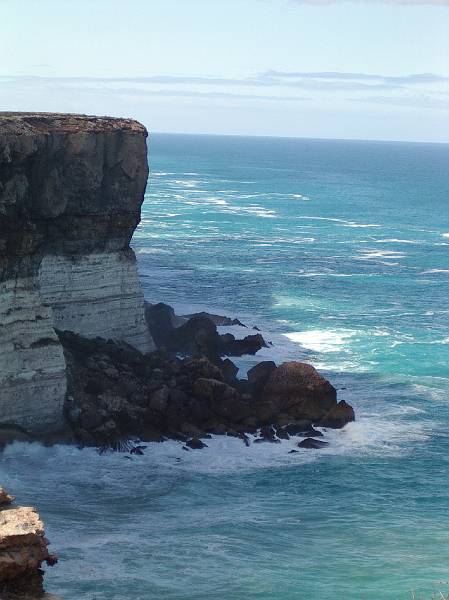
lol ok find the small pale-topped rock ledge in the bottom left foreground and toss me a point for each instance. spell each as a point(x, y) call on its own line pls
point(23, 550)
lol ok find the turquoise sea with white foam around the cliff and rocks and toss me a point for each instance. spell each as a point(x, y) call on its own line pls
point(339, 252)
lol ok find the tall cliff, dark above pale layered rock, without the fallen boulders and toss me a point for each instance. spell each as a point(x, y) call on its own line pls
point(71, 188)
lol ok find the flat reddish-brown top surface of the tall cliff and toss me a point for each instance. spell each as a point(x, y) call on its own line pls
point(20, 123)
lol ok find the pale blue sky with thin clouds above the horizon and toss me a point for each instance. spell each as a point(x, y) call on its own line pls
point(361, 69)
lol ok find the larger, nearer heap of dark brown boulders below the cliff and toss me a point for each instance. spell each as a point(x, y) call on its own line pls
point(116, 393)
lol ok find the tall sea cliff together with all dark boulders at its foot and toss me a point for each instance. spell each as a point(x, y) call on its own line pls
point(71, 189)
